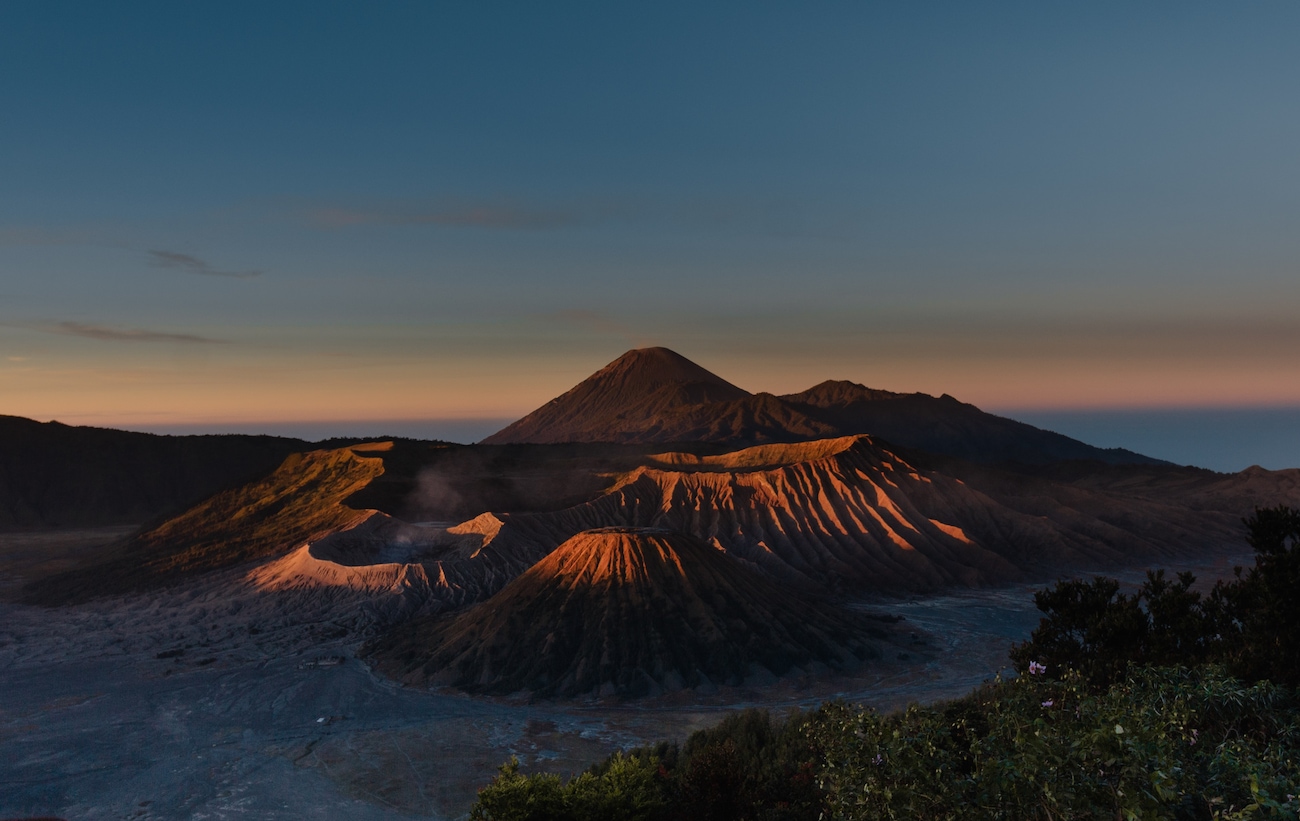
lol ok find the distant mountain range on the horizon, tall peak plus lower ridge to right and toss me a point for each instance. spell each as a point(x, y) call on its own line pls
point(655, 396)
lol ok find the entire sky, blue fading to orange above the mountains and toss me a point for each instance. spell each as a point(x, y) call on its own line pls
point(250, 215)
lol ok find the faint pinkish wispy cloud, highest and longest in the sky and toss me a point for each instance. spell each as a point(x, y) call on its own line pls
point(484, 216)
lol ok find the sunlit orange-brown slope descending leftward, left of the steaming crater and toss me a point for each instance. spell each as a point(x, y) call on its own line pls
point(301, 502)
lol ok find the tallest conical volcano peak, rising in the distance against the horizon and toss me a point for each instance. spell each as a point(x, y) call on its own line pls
point(622, 401)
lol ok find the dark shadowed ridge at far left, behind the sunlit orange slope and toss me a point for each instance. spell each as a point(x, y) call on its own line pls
point(59, 476)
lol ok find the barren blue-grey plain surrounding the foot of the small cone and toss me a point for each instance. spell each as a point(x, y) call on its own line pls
point(259, 710)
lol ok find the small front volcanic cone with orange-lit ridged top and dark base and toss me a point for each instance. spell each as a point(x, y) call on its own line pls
point(627, 613)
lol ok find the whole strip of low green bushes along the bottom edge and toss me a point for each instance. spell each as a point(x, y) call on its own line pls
point(1184, 744)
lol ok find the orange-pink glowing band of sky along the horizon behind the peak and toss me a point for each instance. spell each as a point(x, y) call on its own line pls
point(509, 389)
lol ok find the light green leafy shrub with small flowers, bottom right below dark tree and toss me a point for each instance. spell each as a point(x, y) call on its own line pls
point(1163, 744)
